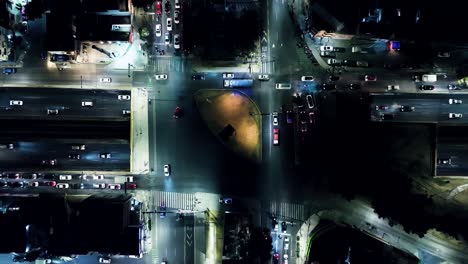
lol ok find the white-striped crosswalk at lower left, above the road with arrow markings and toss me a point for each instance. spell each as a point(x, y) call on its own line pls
point(185, 201)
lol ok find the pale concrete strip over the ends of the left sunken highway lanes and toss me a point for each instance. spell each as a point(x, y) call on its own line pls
point(139, 134)
